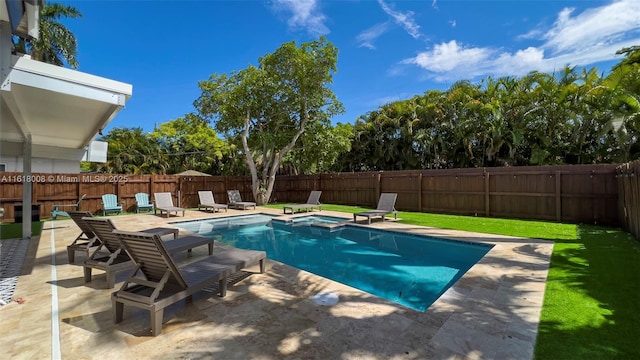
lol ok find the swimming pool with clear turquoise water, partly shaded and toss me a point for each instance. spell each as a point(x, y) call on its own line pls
point(410, 270)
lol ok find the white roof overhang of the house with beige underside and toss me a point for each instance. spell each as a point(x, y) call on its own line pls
point(57, 106)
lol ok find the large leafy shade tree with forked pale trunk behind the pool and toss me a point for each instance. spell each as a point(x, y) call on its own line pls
point(267, 108)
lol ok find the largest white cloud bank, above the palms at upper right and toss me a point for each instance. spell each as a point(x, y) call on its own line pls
point(586, 38)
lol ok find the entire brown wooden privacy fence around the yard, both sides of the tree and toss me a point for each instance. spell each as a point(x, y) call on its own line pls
point(578, 193)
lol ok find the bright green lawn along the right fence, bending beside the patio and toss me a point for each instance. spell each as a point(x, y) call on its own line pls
point(592, 301)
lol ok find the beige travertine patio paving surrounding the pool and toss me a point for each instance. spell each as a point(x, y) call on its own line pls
point(491, 313)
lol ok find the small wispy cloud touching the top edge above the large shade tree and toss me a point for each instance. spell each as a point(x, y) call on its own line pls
point(304, 14)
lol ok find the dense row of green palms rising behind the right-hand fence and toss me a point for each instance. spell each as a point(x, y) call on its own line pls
point(570, 117)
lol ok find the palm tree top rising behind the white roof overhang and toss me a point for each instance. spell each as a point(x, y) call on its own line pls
point(56, 44)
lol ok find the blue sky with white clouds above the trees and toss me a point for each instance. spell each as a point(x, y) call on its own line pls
point(388, 50)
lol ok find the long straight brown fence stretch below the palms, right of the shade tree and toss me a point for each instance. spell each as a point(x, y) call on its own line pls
point(577, 193)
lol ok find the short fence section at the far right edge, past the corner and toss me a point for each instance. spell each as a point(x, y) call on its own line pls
point(629, 196)
